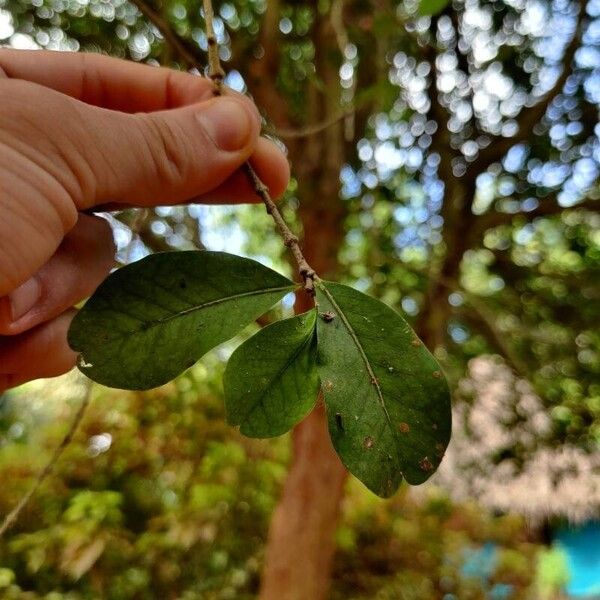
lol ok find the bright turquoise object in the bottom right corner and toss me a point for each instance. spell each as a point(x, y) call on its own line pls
point(582, 548)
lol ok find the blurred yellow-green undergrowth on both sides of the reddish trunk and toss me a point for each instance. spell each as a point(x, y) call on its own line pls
point(158, 498)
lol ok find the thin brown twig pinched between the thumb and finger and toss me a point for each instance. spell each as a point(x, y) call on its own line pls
point(216, 73)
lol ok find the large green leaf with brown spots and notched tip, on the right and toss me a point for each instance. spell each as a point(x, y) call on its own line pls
point(388, 404)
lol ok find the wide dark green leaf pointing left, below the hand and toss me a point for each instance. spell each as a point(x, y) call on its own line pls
point(153, 319)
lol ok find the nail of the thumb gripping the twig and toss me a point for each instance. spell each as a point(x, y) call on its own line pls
point(227, 123)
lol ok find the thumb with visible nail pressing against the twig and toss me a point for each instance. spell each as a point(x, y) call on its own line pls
point(165, 157)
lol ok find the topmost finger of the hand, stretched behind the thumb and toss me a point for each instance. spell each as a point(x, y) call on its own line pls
point(105, 81)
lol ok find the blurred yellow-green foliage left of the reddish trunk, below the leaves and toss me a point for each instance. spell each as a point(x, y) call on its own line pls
point(157, 498)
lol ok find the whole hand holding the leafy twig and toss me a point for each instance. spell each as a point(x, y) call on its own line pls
point(79, 131)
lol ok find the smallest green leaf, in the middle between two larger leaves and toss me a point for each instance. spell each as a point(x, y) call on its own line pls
point(271, 381)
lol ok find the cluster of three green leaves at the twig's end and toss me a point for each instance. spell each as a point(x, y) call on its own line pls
point(386, 399)
